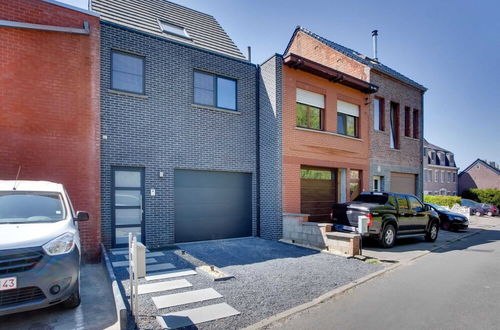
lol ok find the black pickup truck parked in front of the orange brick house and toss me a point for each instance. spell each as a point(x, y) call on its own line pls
point(389, 215)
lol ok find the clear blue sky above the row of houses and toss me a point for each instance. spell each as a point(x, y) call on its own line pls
point(451, 47)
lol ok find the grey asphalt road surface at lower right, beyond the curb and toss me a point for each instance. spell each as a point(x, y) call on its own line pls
point(457, 287)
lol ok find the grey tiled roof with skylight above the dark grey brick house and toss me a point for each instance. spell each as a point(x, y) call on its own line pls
point(143, 15)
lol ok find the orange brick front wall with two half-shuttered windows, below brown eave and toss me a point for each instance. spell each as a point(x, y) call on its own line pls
point(319, 148)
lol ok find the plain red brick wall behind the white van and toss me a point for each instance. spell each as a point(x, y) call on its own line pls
point(49, 105)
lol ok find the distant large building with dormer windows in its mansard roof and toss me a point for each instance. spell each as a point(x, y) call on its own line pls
point(440, 171)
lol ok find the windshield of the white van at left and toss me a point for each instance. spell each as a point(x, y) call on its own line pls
point(29, 207)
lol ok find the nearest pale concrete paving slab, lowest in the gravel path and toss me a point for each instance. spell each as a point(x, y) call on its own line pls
point(195, 316)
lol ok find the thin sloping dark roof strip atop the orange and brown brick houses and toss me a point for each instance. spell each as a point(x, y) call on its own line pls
point(371, 63)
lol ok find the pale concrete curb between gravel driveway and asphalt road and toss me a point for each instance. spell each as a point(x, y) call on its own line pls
point(340, 290)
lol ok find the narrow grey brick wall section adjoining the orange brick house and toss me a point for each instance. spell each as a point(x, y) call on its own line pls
point(270, 148)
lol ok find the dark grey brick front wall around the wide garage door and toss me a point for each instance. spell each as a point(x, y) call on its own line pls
point(165, 131)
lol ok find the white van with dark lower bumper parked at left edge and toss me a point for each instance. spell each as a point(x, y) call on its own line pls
point(39, 247)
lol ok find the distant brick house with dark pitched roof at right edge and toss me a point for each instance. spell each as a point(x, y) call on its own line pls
point(480, 174)
